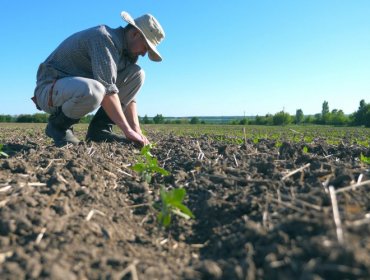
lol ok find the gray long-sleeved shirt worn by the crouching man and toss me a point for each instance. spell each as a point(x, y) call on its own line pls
point(96, 53)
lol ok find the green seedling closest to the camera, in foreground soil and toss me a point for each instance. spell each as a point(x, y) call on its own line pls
point(172, 204)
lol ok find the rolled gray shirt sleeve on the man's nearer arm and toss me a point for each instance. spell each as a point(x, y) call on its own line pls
point(104, 59)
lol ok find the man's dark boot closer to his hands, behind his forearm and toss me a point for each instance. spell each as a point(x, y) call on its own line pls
point(101, 129)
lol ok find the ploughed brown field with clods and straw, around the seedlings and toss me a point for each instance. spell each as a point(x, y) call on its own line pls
point(269, 203)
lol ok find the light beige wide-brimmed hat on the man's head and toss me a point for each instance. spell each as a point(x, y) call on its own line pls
point(151, 30)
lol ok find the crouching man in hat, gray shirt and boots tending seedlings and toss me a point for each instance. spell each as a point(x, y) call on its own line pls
point(97, 67)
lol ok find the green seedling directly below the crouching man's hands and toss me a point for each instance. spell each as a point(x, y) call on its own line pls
point(148, 166)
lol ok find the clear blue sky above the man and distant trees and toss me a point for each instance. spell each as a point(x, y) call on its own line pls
point(220, 58)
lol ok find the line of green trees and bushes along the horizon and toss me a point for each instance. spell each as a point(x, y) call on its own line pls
point(326, 117)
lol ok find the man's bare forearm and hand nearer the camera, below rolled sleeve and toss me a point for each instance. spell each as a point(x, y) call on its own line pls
point(113, 108)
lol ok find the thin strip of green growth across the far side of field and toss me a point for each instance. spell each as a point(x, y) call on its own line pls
point(234, 133)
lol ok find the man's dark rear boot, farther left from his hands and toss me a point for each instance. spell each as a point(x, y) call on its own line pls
point(59, 128)
